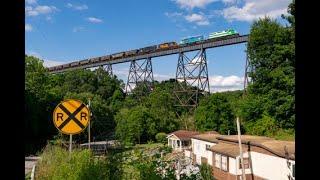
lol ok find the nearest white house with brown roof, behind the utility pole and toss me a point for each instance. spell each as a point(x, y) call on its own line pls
point(264, 158)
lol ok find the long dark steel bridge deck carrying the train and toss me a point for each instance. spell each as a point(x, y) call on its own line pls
point(192, 47)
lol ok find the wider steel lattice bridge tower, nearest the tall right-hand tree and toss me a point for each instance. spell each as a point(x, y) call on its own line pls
point(192, 79)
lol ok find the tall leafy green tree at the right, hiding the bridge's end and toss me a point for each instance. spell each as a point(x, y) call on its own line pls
point(271, 49)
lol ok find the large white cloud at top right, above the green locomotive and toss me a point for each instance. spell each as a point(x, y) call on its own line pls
point(254, 9)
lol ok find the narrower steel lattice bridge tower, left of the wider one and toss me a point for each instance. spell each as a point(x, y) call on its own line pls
point(140, 75)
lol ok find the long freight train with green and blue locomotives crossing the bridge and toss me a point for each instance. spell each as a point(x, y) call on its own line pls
point(215, 36)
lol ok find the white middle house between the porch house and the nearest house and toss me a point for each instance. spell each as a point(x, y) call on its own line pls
point(201, 144)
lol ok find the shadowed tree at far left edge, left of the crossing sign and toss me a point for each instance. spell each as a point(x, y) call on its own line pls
point(38, 105)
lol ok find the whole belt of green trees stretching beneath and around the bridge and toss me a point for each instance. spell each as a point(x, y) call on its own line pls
point(266, 107)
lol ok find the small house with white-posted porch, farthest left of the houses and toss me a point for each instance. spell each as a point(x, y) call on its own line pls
point(181, 139)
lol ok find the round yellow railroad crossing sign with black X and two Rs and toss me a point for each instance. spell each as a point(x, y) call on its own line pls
point(71, 116)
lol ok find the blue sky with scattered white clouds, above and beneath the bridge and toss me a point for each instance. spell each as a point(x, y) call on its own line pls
point(68, 30)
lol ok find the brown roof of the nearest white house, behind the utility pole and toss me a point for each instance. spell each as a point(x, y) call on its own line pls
point(229, 145)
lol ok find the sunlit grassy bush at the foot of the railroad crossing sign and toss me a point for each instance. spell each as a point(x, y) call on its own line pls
point(57, 163)
